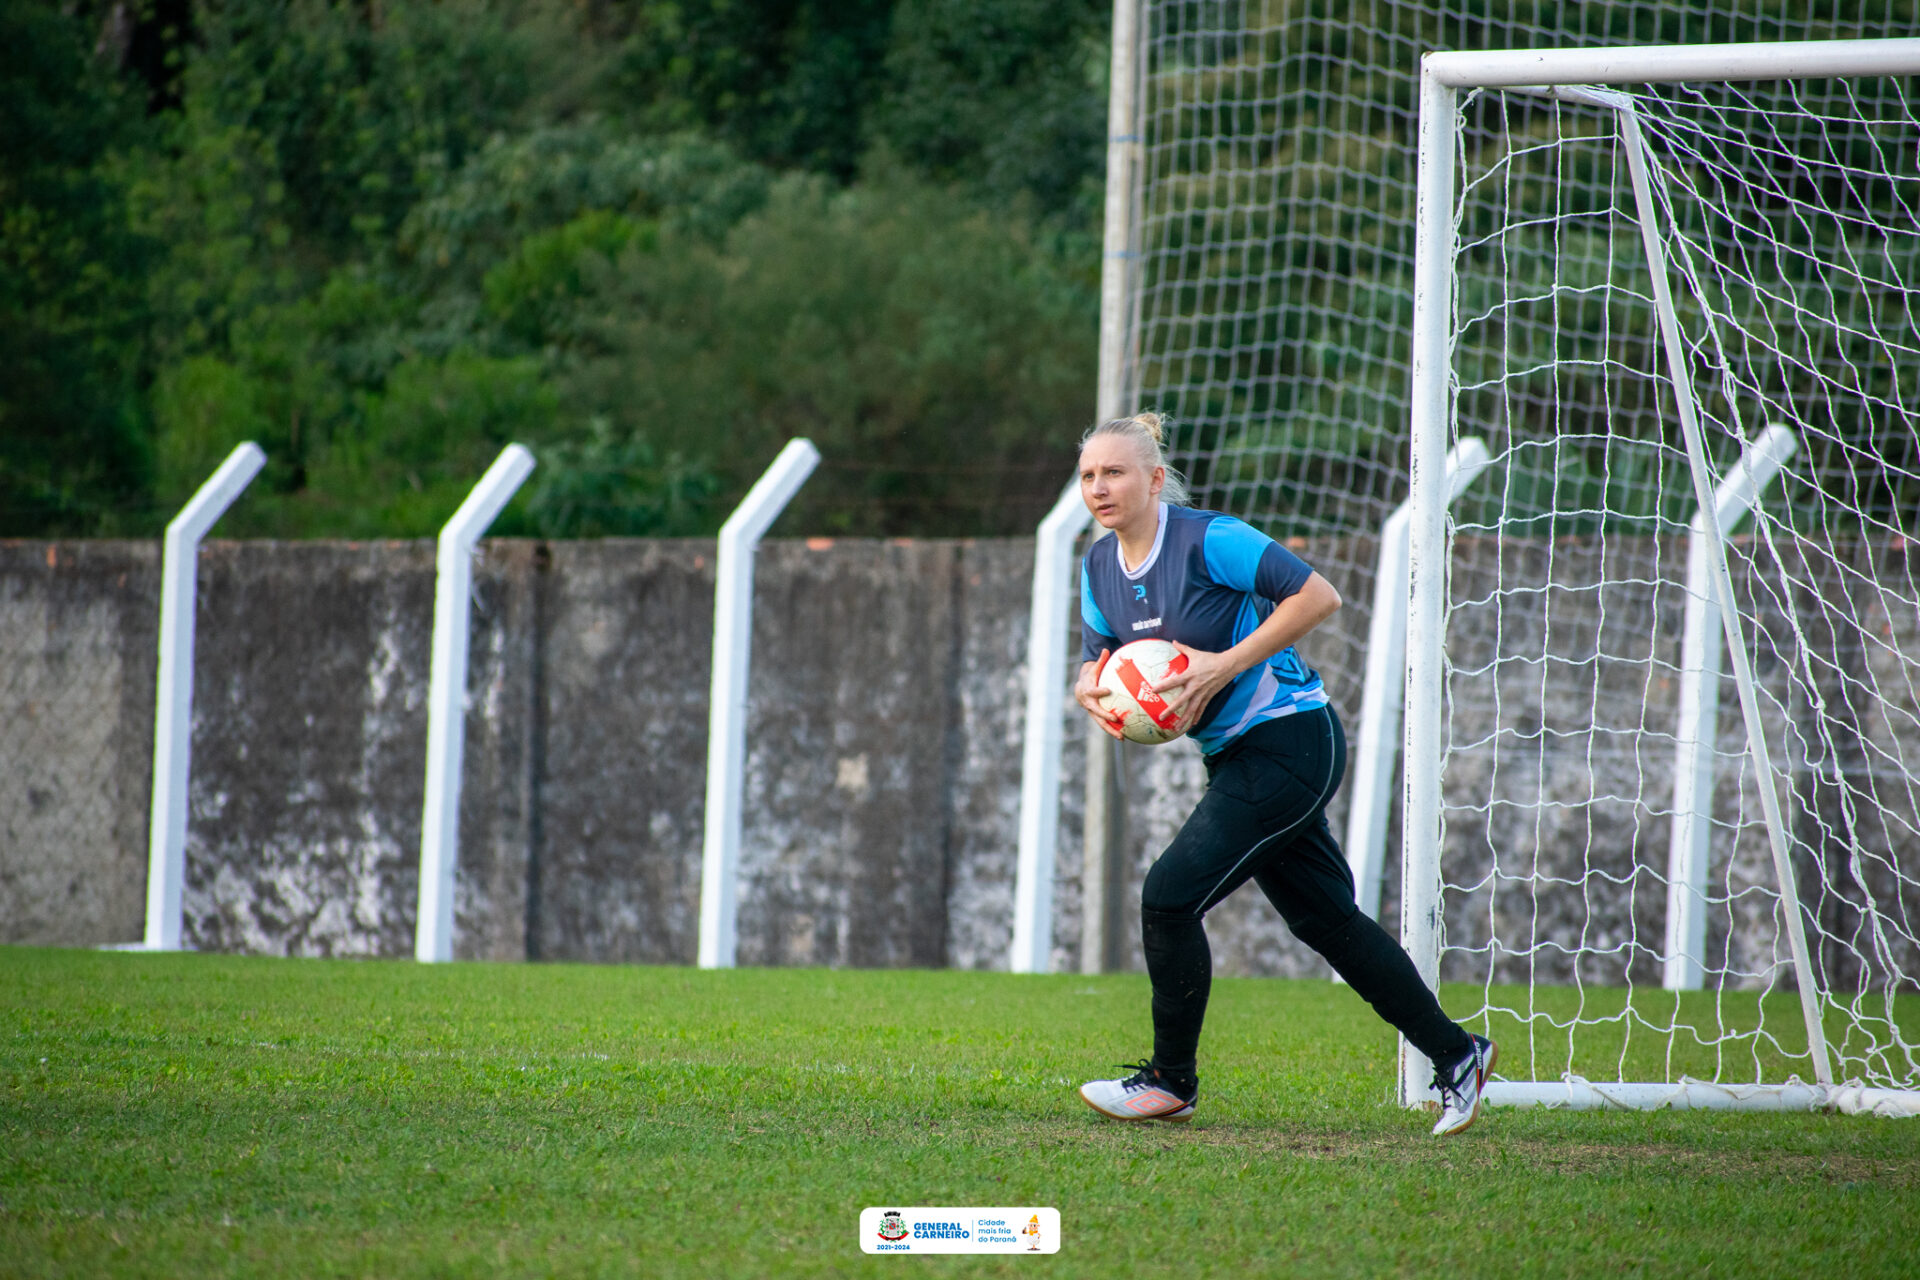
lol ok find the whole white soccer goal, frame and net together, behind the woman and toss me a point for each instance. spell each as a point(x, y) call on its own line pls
point(1662, 803)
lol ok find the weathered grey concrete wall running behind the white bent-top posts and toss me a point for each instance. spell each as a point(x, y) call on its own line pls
point(884, 755)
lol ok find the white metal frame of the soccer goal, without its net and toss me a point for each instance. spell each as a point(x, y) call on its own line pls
point(1581, 76)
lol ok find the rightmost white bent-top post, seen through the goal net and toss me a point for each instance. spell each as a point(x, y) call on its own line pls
point(1700, 713)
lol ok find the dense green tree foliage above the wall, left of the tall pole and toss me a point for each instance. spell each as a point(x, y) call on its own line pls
point(652, 241)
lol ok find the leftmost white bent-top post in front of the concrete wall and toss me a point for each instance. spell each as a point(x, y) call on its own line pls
point(174, 703)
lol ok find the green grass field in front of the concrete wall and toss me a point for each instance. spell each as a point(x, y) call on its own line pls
point(212, 1116)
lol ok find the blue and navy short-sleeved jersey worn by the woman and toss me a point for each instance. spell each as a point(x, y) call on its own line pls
point(1207, 584)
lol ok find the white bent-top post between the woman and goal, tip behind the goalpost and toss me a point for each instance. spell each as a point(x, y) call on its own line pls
point(1380, 705)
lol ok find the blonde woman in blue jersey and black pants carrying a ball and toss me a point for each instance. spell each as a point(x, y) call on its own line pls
point(1236, 604)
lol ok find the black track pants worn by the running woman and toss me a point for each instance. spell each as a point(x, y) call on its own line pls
point(1264, 818)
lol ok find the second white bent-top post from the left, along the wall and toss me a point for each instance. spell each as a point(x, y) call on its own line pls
point(446, 699)
